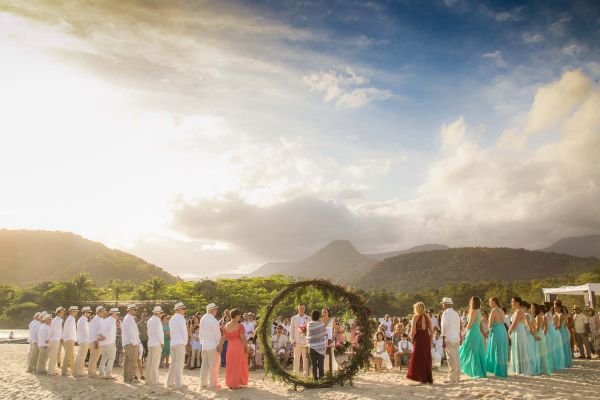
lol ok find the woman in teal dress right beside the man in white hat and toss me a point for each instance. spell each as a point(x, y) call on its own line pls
point(472, 350)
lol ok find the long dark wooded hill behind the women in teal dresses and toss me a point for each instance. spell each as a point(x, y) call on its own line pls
point(432, 269)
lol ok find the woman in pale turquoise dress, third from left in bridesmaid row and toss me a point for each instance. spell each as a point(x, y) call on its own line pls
point(519, 356)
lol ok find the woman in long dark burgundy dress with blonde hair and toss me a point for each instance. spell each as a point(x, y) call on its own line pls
point(419, 366)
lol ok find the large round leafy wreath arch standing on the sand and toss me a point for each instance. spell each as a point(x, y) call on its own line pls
point(344, 374)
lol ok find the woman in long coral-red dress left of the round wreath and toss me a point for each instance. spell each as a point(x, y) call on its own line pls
point(236, 370)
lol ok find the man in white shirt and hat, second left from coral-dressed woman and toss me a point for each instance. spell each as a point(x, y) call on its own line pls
point(179, 339)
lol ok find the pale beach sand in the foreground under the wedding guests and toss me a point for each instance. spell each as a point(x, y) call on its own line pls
point(580, 382)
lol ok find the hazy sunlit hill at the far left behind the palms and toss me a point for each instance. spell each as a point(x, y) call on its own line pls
point(30, 257)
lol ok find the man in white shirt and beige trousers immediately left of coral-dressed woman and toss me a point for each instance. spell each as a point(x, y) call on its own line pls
point(210, 340)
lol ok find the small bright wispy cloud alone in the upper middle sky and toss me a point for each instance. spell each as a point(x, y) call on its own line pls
point(342, 87)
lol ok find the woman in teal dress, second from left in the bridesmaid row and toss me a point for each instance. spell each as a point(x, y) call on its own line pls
point(496, 358)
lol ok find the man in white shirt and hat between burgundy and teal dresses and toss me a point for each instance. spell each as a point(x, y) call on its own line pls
point(451, 328)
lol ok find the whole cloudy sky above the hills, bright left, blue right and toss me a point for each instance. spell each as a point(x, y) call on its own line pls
point(210, 137)
